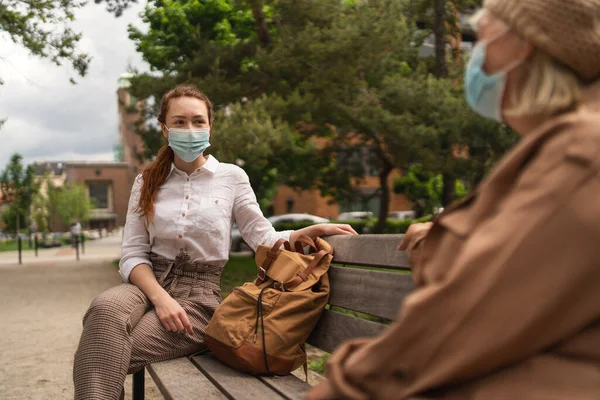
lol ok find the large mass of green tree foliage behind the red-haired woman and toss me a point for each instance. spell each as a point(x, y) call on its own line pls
point(346, 75)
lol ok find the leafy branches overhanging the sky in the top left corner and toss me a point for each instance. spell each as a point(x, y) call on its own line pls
point(42, 27)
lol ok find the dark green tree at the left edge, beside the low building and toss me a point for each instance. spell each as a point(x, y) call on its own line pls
point(18, 185)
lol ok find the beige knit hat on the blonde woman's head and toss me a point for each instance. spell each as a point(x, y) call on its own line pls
point(568, 30)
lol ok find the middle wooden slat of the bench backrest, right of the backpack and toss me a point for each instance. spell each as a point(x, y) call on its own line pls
point(372, 292)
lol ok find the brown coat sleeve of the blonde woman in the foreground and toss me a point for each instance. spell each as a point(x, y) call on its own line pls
point(525, 279)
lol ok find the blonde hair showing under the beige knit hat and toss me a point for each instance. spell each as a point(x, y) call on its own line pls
point(549, 88)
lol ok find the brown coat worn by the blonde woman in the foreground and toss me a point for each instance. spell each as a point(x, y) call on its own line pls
point(508, 298)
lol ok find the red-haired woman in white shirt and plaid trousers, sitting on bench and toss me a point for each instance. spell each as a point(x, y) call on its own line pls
point(175, 245)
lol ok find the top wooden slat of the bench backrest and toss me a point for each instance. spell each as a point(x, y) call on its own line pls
point(369, 250)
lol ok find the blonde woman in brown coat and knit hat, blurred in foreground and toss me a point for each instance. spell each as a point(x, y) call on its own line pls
point(507, 304)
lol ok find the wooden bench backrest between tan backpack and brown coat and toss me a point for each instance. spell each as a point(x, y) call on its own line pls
point(377, 291)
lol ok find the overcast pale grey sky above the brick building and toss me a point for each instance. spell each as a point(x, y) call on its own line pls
point(50, 119)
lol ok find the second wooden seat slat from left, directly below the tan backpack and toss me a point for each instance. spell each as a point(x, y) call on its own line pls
point(234, 384)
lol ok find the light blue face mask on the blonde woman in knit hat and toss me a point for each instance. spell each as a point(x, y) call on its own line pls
point(485, 92)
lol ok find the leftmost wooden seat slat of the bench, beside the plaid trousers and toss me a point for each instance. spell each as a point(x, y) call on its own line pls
point(179, 379)
